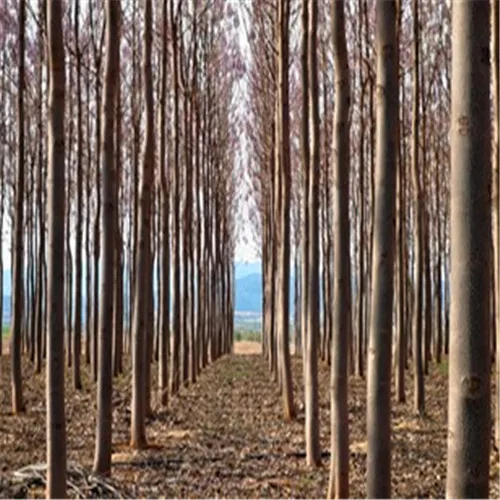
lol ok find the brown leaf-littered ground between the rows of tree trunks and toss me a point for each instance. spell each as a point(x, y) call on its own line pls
point(225, 437)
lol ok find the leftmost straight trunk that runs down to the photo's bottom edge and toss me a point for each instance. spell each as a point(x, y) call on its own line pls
point(56, 420)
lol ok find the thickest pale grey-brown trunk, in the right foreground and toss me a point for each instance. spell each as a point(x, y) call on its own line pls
point(469, 416)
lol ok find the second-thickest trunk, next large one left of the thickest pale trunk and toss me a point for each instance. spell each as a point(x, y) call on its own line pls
point(380, 338)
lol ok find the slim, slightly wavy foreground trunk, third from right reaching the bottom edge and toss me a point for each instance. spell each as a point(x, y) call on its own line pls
point(339, 465)
